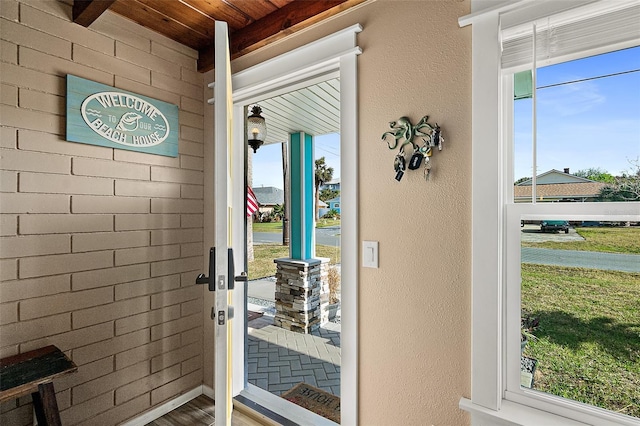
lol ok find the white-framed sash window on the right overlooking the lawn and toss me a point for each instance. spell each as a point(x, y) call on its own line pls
point(502, 308)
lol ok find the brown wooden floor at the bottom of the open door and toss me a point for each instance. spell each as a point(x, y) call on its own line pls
point(199, 412)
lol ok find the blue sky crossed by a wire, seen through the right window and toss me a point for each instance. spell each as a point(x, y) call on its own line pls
point(588, 124)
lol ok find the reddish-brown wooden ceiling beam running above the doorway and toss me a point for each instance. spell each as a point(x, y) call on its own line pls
point(279, 24)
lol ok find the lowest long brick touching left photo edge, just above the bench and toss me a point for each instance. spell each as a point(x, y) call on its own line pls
point(23, 331)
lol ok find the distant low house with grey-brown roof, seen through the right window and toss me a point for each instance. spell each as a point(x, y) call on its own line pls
point(554, 186)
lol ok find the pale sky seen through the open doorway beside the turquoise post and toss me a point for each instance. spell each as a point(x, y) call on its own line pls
point(267, 161)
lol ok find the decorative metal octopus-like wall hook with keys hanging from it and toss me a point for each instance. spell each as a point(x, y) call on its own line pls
point(402, 133)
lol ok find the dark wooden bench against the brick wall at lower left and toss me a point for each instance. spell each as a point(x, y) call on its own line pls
point(33, 372)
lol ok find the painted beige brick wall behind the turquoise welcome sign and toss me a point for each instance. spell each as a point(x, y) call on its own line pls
point(99, 247)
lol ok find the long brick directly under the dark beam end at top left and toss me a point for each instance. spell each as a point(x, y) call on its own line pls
point(61, 28)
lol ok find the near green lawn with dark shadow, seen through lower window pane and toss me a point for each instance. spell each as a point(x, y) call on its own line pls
point(588, 340)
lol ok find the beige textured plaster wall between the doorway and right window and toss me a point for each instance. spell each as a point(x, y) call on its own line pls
point(414, 321)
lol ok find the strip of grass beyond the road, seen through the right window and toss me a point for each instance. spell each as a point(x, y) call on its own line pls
point(600, 239)
